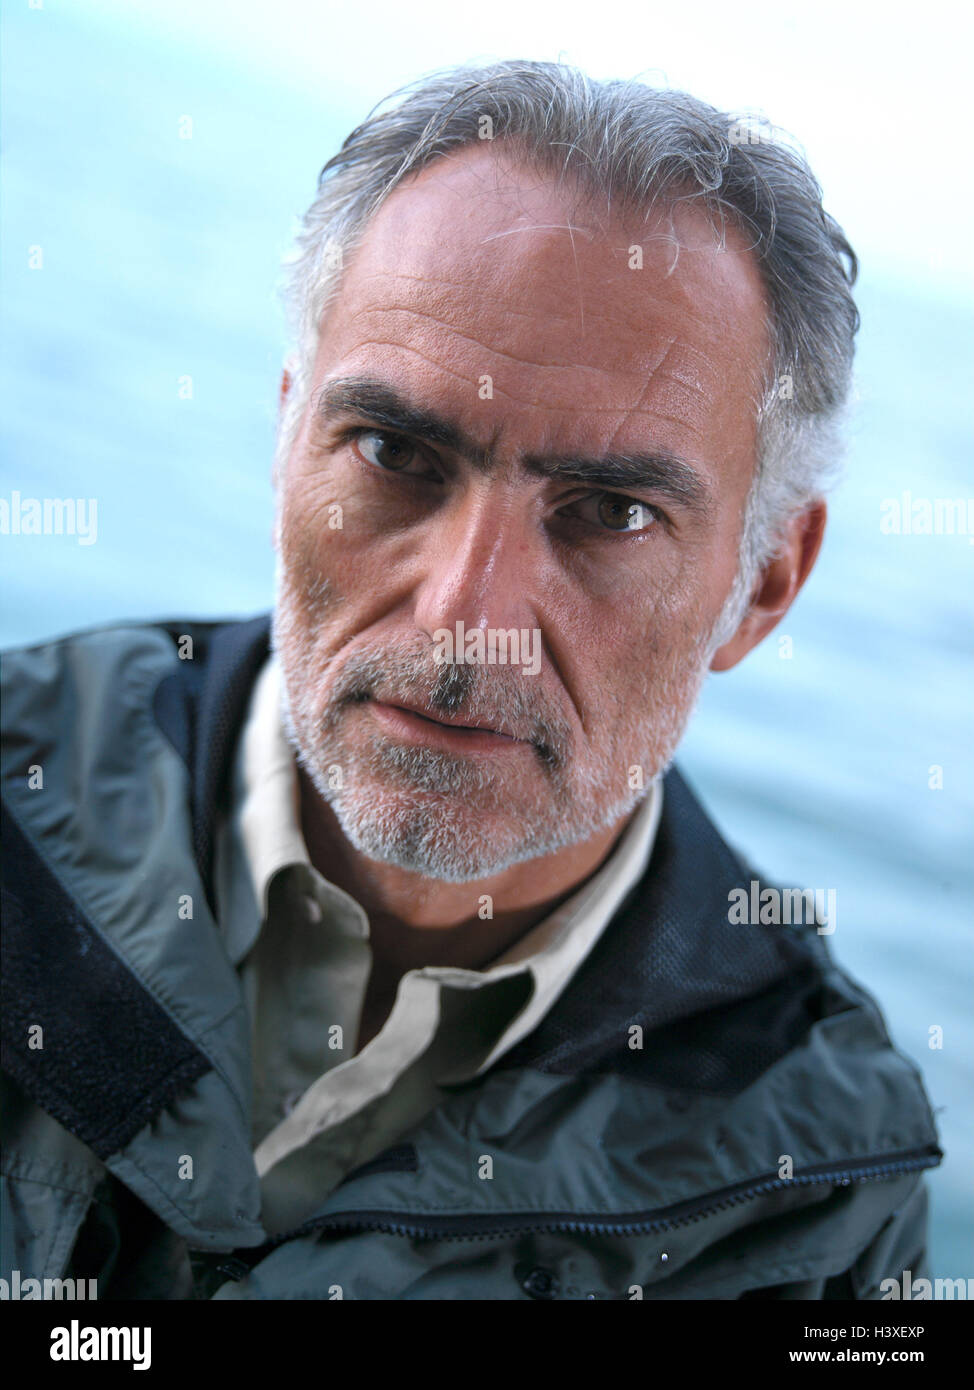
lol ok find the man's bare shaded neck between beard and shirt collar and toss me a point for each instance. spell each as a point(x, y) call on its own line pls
point(418, 921)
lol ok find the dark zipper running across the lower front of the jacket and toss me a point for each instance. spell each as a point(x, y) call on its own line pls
point(670, 1218)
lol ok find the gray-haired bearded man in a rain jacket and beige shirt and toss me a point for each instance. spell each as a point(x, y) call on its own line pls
point(338, 939)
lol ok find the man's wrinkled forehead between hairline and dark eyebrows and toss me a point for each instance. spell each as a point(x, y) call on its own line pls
point(481, 266)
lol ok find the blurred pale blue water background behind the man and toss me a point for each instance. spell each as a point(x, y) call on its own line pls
point(156, 156)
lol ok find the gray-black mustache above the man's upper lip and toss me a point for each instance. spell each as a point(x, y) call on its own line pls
point(493, 696)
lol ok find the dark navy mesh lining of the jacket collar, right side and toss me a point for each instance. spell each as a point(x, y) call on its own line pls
point(718, 1004)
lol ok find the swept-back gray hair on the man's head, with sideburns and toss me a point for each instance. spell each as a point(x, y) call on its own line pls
point(643, 147)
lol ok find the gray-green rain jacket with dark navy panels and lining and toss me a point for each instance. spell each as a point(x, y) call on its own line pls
point(708, 1111)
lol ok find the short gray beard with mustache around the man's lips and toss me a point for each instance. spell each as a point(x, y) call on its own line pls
point(419, 821)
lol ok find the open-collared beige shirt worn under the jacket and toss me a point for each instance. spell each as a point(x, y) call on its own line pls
point(301, 945)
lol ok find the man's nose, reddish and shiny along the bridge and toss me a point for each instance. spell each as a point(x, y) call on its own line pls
point(479, 564)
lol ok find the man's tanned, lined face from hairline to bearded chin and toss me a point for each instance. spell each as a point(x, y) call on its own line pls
point(519, 318)
